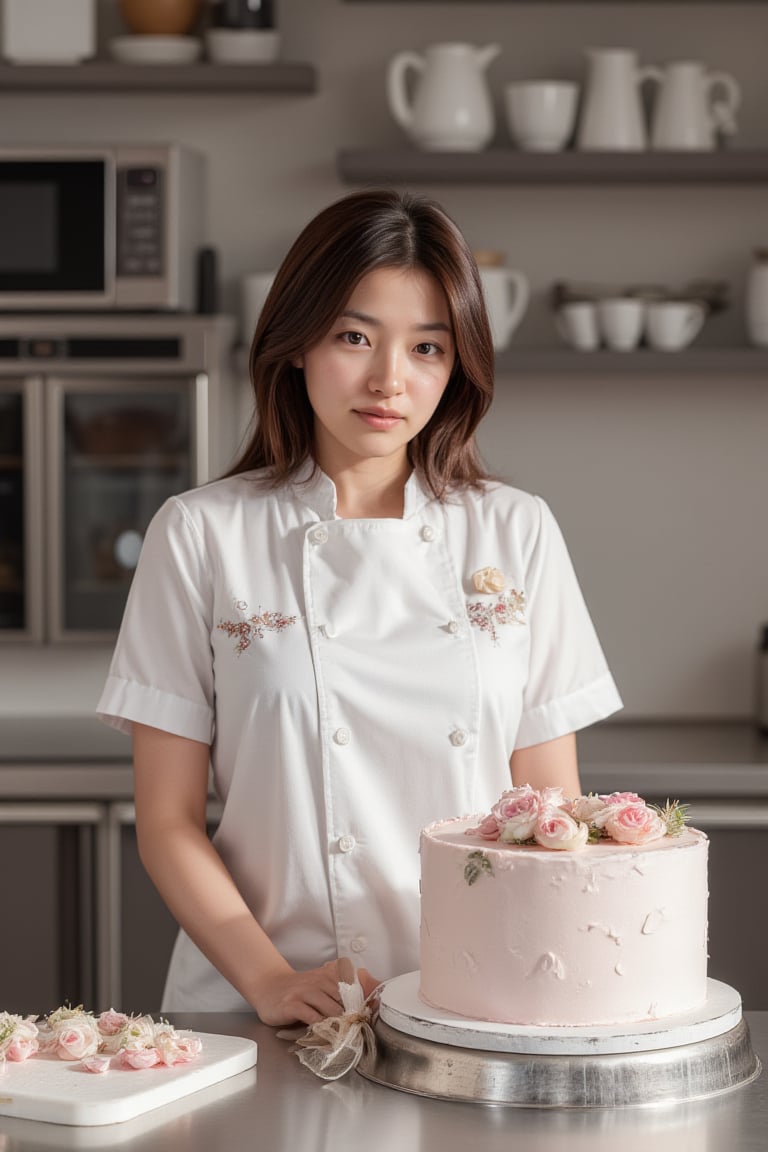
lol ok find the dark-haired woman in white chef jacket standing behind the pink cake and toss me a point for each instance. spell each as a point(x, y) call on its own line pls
point(356, 630)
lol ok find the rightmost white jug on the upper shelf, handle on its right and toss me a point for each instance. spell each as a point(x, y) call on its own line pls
point(688, 113)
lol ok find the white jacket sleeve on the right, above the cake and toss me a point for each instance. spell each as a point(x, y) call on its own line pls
point(569, 685)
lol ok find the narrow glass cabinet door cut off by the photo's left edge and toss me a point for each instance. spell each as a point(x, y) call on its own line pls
point(20, 511)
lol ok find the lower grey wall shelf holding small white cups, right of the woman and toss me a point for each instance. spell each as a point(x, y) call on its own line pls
point(559, 361)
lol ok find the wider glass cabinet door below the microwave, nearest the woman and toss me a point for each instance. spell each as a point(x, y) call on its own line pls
point(124, 448)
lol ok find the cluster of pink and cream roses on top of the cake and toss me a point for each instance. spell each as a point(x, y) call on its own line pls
point(527, 816)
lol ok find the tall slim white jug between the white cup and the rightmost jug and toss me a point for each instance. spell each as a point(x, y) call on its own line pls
point(612, 115)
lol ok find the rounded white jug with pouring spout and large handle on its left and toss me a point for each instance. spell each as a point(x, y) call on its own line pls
point(452, 110)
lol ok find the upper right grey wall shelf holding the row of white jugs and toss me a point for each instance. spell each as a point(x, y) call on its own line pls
point(508, 166)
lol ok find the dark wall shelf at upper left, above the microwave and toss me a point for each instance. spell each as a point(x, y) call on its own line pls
point(202, 79)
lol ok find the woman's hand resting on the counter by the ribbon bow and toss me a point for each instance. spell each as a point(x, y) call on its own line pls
point(306, 998)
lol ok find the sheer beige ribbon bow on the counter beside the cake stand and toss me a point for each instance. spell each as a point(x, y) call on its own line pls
point(334, 1047)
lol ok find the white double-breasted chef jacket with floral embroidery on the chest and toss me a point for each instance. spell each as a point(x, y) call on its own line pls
point(354, 687)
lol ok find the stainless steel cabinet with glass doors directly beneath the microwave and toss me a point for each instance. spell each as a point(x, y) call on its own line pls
point(101, 422)
